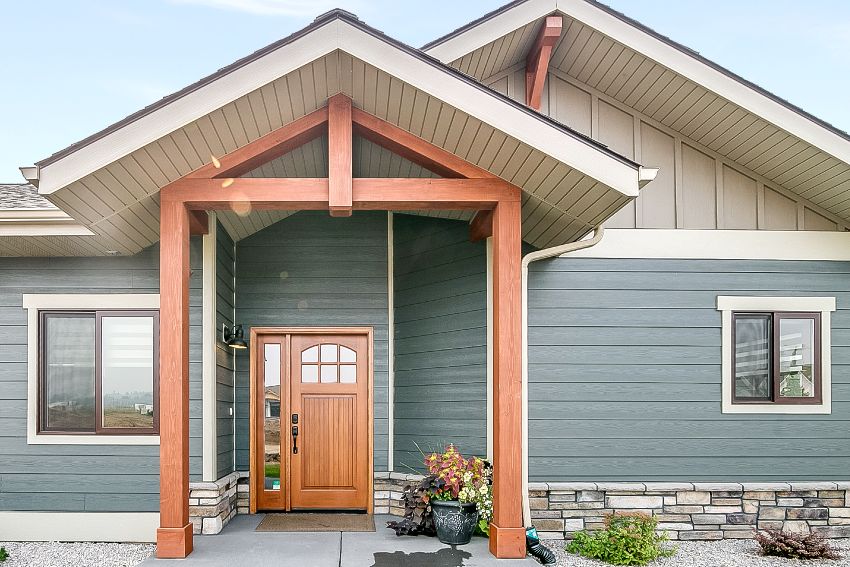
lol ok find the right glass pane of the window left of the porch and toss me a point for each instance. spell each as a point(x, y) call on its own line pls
point(127, 372)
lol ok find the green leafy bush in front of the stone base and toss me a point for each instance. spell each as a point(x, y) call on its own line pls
point(627, 539)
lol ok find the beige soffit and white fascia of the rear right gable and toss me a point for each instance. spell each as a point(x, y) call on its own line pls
point(619, 58)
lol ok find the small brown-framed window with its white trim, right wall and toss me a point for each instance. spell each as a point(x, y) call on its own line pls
point(776, 354)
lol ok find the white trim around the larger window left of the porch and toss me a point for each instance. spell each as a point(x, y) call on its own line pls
point(34, 303)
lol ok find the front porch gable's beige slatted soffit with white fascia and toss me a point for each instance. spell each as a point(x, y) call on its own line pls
point(119, 200)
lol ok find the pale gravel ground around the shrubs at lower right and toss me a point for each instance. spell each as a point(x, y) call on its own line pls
point(726, 553)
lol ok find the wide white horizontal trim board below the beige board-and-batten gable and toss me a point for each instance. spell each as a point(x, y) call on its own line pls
point(719, 244)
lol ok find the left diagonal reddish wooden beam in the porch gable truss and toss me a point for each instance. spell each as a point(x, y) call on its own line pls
point(266, 148)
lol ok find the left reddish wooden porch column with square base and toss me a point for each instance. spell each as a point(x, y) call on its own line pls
point(174, 536)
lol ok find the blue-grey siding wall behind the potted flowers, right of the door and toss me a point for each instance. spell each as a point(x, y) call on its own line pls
point(440, 319)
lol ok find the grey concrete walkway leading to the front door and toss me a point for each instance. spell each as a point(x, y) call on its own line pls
point(240, 545)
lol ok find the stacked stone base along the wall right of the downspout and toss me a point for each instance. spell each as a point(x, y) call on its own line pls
point(694, 511)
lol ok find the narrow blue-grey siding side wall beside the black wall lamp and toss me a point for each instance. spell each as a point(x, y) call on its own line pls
point(225, 366)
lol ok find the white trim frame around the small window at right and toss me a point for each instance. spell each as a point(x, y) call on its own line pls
point(823, 305)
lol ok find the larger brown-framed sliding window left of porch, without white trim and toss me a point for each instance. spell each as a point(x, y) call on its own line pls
point(98, 372)
